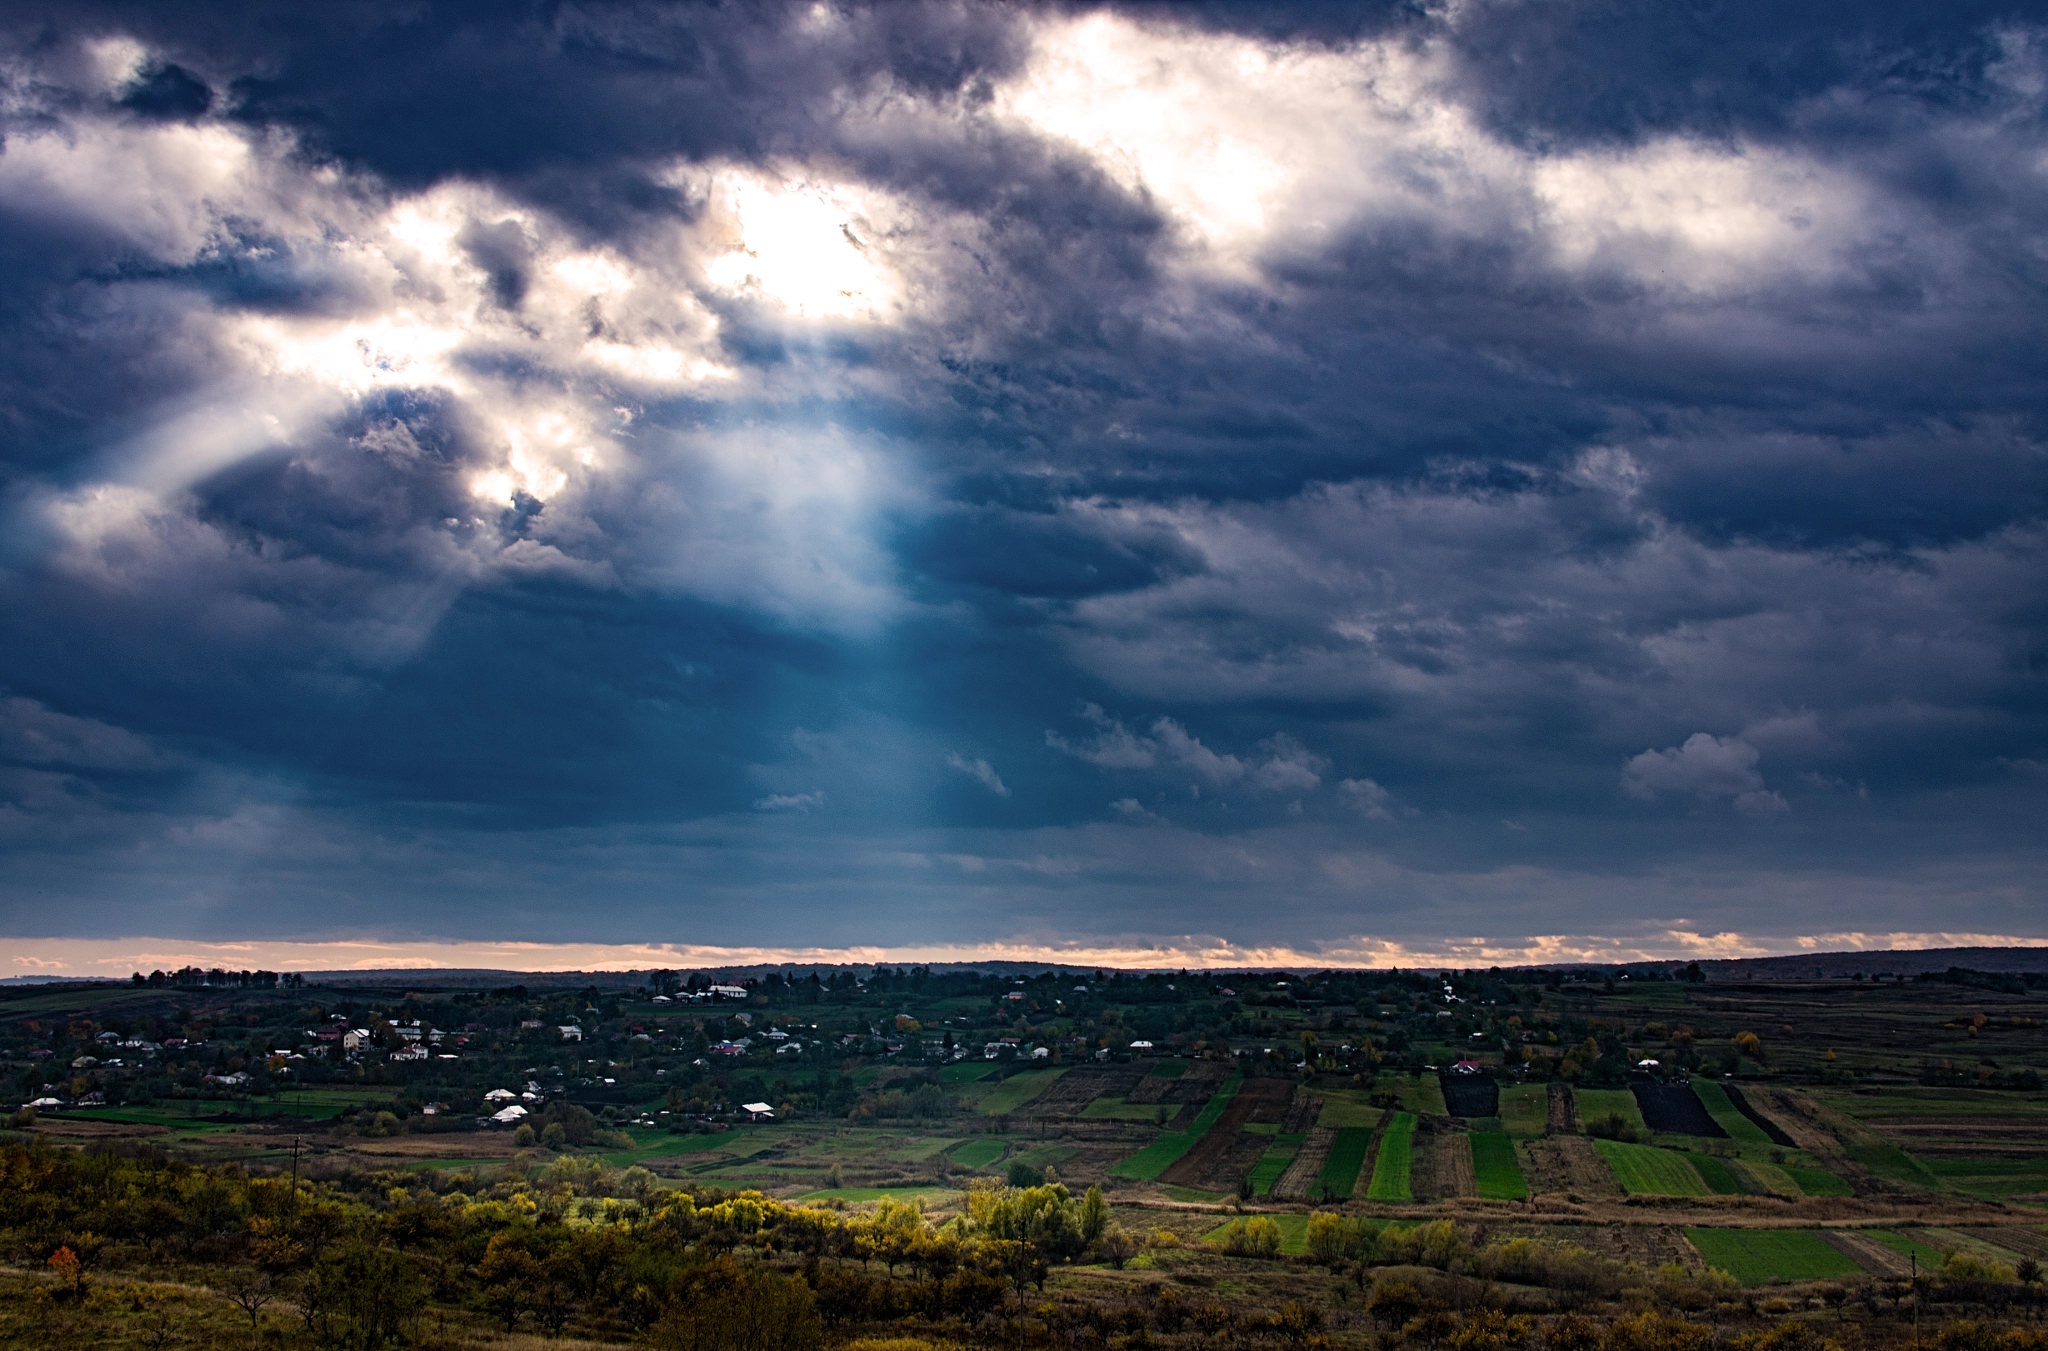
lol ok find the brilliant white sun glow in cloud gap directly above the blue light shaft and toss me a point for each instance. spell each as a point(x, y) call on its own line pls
point(804, 249)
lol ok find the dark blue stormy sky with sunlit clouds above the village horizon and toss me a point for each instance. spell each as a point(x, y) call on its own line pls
point(1435, 482)
